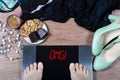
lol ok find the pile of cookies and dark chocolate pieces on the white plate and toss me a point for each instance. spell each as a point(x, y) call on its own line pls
point(33, 29)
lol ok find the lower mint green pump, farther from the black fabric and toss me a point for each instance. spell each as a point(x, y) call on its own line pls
point(108, 55)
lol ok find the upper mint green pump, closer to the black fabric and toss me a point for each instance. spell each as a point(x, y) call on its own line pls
point(103, 35)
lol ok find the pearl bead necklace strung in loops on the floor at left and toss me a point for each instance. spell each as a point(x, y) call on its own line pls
point(10, 43)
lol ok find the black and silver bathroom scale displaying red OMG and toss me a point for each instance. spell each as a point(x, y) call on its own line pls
point(56, 59)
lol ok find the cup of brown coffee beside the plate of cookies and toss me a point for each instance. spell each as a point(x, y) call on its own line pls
point(13, 21)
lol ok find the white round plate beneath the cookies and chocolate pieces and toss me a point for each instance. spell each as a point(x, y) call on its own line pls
point(27, 39)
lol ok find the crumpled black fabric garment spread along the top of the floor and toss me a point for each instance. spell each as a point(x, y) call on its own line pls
point(91, 14)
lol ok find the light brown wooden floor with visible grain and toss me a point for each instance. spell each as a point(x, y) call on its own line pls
point(68, 33)
